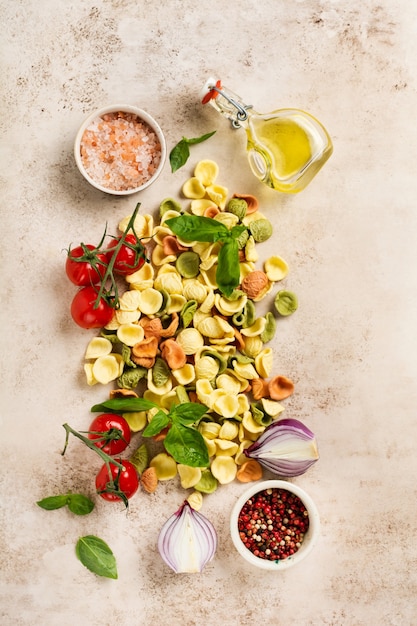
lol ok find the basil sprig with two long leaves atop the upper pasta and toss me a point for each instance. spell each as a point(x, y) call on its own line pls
point(206, 229)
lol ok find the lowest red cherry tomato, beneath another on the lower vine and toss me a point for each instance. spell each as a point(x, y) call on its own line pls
point(126, 482)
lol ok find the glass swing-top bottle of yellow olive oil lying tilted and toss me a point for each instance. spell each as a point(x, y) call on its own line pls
point(286, 148)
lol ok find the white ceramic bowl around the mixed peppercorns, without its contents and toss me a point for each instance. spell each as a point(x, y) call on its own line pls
point(310, 538)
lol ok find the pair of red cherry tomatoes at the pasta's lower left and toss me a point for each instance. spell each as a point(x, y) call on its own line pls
point(111, 434)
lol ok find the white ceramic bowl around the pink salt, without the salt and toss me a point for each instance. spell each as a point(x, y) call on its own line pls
point(117, 163)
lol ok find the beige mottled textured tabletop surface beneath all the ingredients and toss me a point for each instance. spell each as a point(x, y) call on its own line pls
point(350, 240)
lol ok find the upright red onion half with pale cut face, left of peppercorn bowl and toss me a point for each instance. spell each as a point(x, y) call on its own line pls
point(187, 541)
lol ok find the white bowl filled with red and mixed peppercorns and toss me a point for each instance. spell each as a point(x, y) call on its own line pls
point(274, 525)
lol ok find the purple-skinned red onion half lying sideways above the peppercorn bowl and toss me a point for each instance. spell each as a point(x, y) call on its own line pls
point(275, 448)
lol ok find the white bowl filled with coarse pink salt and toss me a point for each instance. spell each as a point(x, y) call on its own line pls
point(120, 149)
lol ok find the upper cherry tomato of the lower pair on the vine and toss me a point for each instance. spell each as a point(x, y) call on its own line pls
point(112, 432)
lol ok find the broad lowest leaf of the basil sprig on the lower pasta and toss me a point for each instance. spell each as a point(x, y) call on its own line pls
point(186, 446)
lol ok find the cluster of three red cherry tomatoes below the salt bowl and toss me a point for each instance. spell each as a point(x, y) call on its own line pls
point(90, 268)
